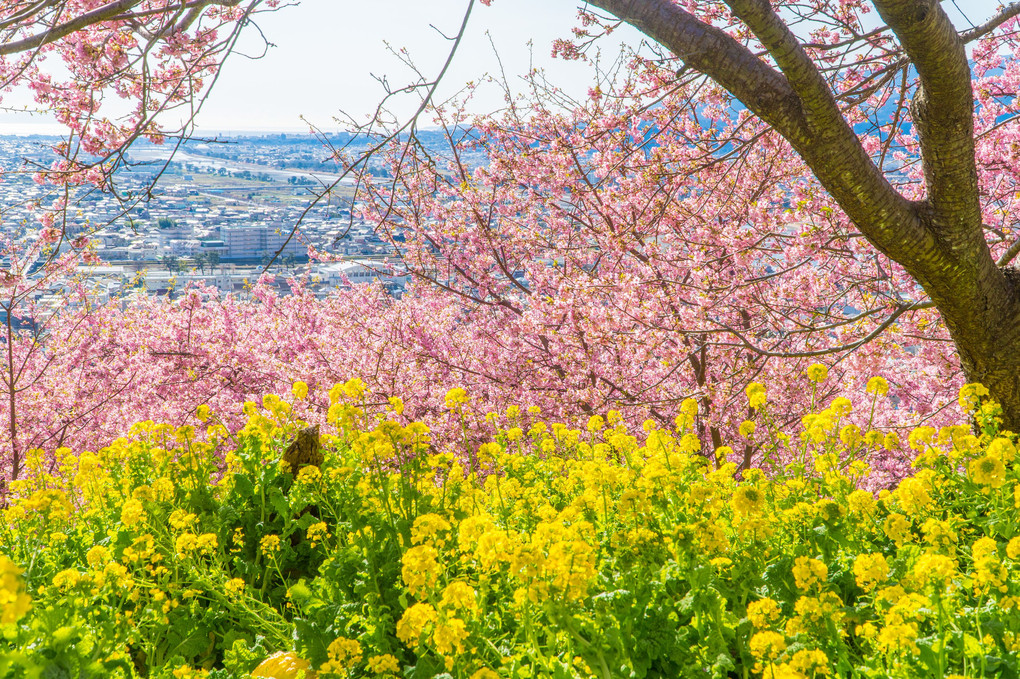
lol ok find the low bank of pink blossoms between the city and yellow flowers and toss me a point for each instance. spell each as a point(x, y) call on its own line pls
point(100, 370)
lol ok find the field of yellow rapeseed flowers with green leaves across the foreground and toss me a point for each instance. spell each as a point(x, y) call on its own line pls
point(545, 552)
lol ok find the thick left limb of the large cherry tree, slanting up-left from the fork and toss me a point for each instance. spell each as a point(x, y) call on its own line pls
point(796, 107)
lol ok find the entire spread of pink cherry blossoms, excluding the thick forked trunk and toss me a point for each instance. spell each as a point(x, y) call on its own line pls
point(654, 241)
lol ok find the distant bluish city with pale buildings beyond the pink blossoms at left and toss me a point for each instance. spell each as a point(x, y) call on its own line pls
point(220, 213)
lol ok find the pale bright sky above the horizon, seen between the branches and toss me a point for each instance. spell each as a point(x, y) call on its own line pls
point(327, 53)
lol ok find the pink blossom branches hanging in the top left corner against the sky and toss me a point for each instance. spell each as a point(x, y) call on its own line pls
point(114, 72)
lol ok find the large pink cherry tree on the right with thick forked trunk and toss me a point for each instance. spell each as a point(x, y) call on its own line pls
point(762, 187)
